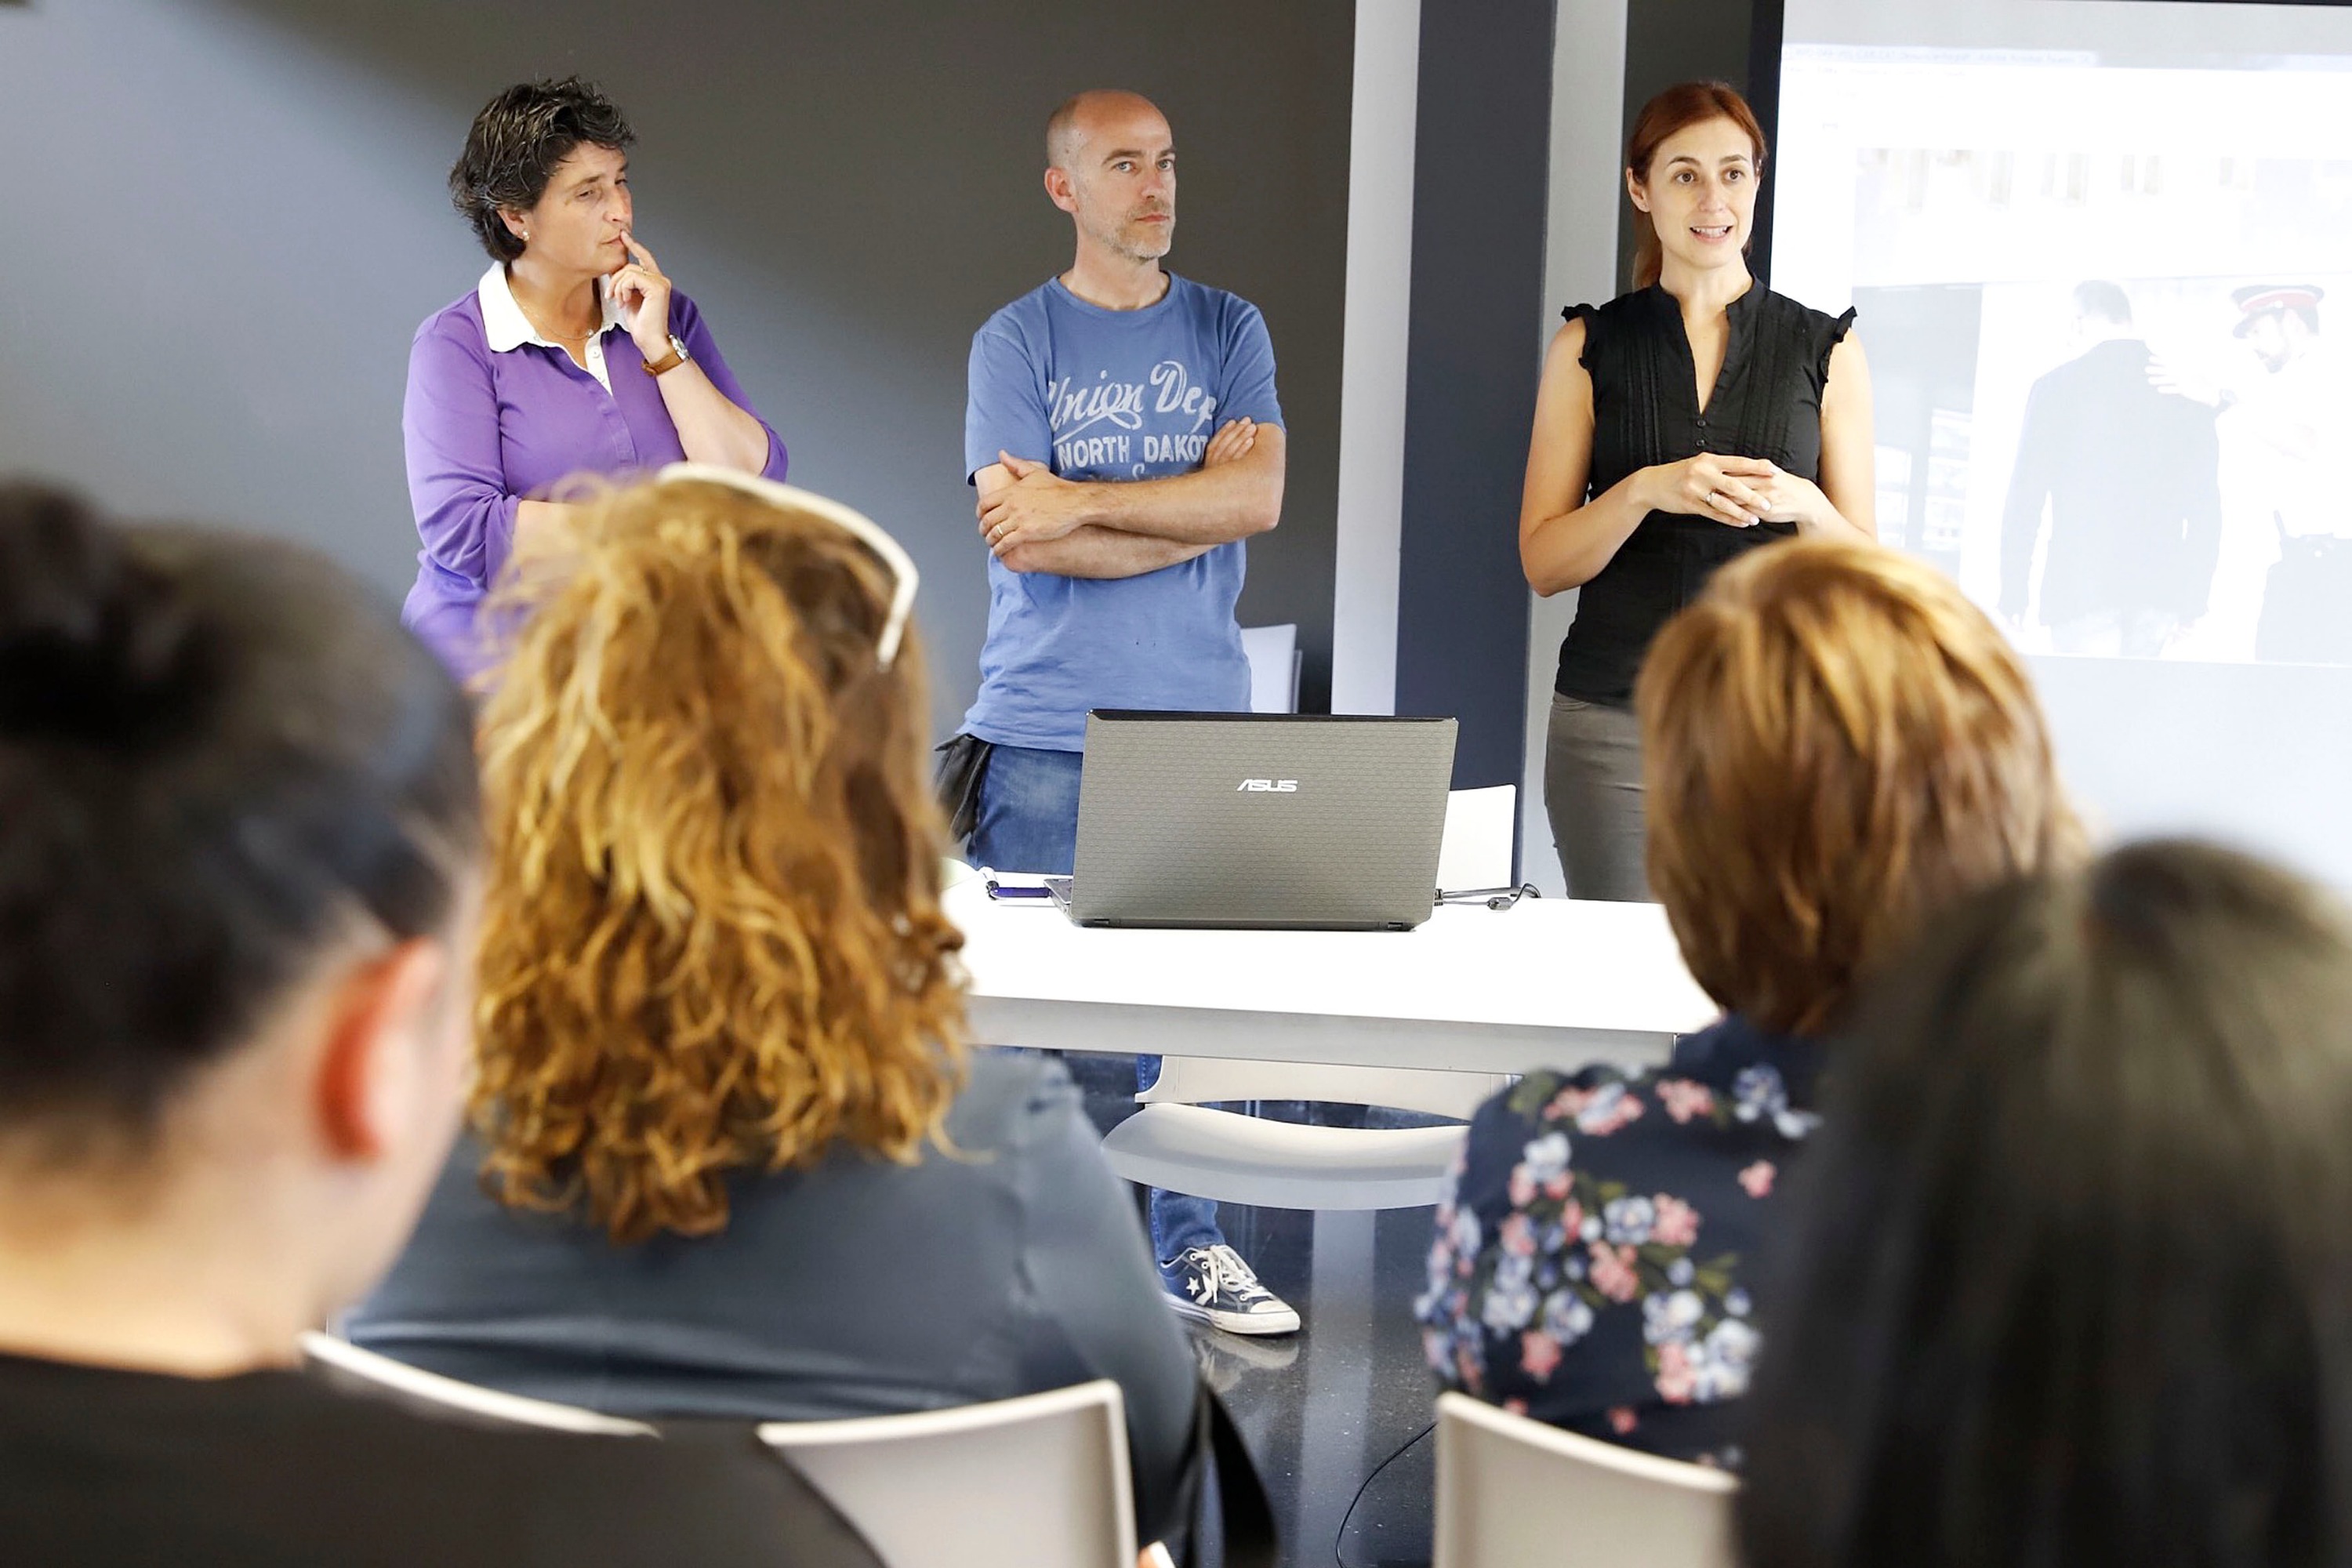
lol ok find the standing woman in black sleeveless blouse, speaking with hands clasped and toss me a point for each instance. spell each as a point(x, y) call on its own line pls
point(1678, 427)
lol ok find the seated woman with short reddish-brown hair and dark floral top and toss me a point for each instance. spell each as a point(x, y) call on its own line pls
point(1836, 742)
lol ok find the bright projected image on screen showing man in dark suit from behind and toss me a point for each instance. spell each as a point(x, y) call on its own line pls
point(2104, 269)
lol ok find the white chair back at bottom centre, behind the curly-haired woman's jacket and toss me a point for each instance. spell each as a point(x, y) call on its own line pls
point(1036, 1482)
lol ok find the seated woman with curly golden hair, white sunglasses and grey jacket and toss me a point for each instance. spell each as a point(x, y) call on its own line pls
point(730, 1155)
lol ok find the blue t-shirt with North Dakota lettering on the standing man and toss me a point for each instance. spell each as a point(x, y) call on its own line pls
point(1114, 396)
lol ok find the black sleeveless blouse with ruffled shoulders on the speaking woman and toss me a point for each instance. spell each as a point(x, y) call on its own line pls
point(1645, 413)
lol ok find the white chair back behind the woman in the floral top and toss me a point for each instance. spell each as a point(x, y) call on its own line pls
point(1514, 1492)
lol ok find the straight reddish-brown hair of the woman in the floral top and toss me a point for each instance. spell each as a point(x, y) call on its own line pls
point(1836, 744)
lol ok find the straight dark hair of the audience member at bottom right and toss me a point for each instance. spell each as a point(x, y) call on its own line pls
point(2076, 1240)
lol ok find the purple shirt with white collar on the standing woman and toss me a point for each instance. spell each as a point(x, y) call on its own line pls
point(495, 415)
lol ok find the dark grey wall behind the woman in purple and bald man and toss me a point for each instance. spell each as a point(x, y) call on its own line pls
point(227, 217)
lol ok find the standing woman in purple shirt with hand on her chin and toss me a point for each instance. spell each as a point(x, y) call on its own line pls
point(570, 359)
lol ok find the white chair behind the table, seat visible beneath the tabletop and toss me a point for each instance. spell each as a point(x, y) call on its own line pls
point(1182, 1146)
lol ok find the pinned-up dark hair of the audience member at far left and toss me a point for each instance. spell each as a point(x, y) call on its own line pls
point(215, 756)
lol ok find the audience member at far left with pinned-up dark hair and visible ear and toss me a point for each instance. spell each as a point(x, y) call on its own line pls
point(239, 871)
